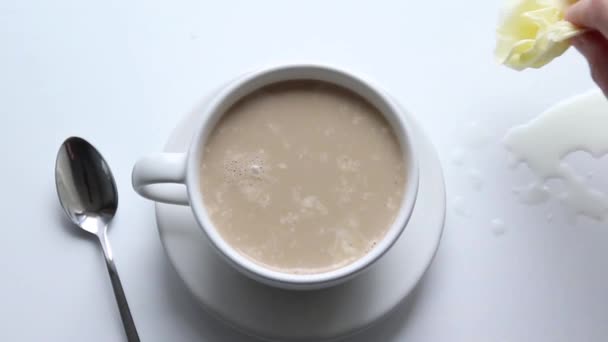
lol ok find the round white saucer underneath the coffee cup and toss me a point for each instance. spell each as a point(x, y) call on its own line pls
point(282, 315)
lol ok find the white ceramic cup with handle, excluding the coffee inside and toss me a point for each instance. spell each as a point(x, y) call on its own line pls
point(151, 174)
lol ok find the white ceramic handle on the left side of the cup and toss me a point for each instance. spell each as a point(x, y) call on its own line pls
point(161, 178)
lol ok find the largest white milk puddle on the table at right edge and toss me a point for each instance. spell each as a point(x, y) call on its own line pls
point(580, 124)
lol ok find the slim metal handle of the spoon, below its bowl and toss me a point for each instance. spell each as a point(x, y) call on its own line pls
point(119, 293)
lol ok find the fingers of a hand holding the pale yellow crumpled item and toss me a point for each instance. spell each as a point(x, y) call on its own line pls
point(592, 14)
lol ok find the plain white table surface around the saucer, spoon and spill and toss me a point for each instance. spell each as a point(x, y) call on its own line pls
point(121, 73)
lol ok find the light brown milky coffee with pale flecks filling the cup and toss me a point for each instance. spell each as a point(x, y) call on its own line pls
point(302, 177)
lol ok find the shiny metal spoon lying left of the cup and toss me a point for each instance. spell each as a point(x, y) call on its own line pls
point(88, 195)
